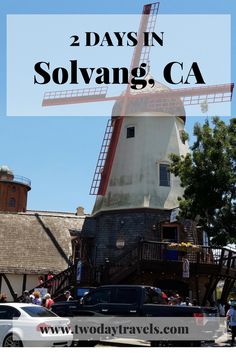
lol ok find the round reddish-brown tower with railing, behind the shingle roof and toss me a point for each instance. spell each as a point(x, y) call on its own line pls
point(13, 191)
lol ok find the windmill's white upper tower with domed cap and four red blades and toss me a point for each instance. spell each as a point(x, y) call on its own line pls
point(161, 99)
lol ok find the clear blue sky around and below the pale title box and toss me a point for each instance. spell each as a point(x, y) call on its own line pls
point(59, 153)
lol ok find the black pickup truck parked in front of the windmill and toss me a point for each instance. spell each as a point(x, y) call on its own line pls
point(129, 301)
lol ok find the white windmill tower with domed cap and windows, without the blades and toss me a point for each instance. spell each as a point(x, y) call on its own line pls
point(140, 177)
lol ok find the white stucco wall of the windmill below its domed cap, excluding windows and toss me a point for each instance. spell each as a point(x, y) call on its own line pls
point(134, 179)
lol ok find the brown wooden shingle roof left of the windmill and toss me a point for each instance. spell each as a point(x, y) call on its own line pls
point(36, 242)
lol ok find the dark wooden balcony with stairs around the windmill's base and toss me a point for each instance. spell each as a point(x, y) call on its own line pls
point(163, 257)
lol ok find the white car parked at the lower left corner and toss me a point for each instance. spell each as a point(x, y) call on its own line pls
point(32, 325)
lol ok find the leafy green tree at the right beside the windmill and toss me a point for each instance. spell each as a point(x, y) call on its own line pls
point(208, 175)
